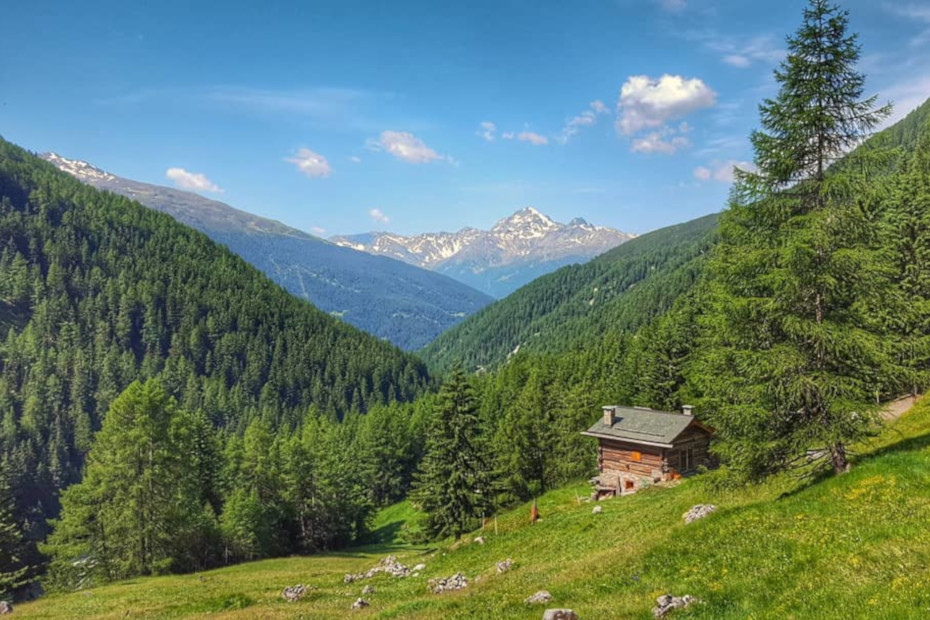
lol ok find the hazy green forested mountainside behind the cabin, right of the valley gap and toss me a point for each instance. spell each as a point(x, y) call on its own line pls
point(582, 305)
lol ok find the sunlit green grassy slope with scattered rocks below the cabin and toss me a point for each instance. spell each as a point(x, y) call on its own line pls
point(854, 546)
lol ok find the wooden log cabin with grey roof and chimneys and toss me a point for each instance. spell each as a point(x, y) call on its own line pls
point(639, 447)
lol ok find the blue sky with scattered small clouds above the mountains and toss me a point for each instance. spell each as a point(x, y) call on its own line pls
point(345, 116)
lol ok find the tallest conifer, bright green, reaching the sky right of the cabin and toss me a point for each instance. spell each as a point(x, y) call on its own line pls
point(793, 349)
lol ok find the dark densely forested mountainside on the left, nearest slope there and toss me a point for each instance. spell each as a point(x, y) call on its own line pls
point(101, 291)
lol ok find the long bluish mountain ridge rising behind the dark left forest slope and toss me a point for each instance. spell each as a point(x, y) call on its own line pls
point(400, 302)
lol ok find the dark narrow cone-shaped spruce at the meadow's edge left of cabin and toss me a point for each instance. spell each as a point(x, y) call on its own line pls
point(452, 486)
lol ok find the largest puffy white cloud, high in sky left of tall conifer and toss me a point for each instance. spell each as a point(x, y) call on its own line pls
point(647, 102)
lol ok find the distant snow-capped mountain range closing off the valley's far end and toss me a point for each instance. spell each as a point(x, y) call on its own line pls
point(517, 250)
